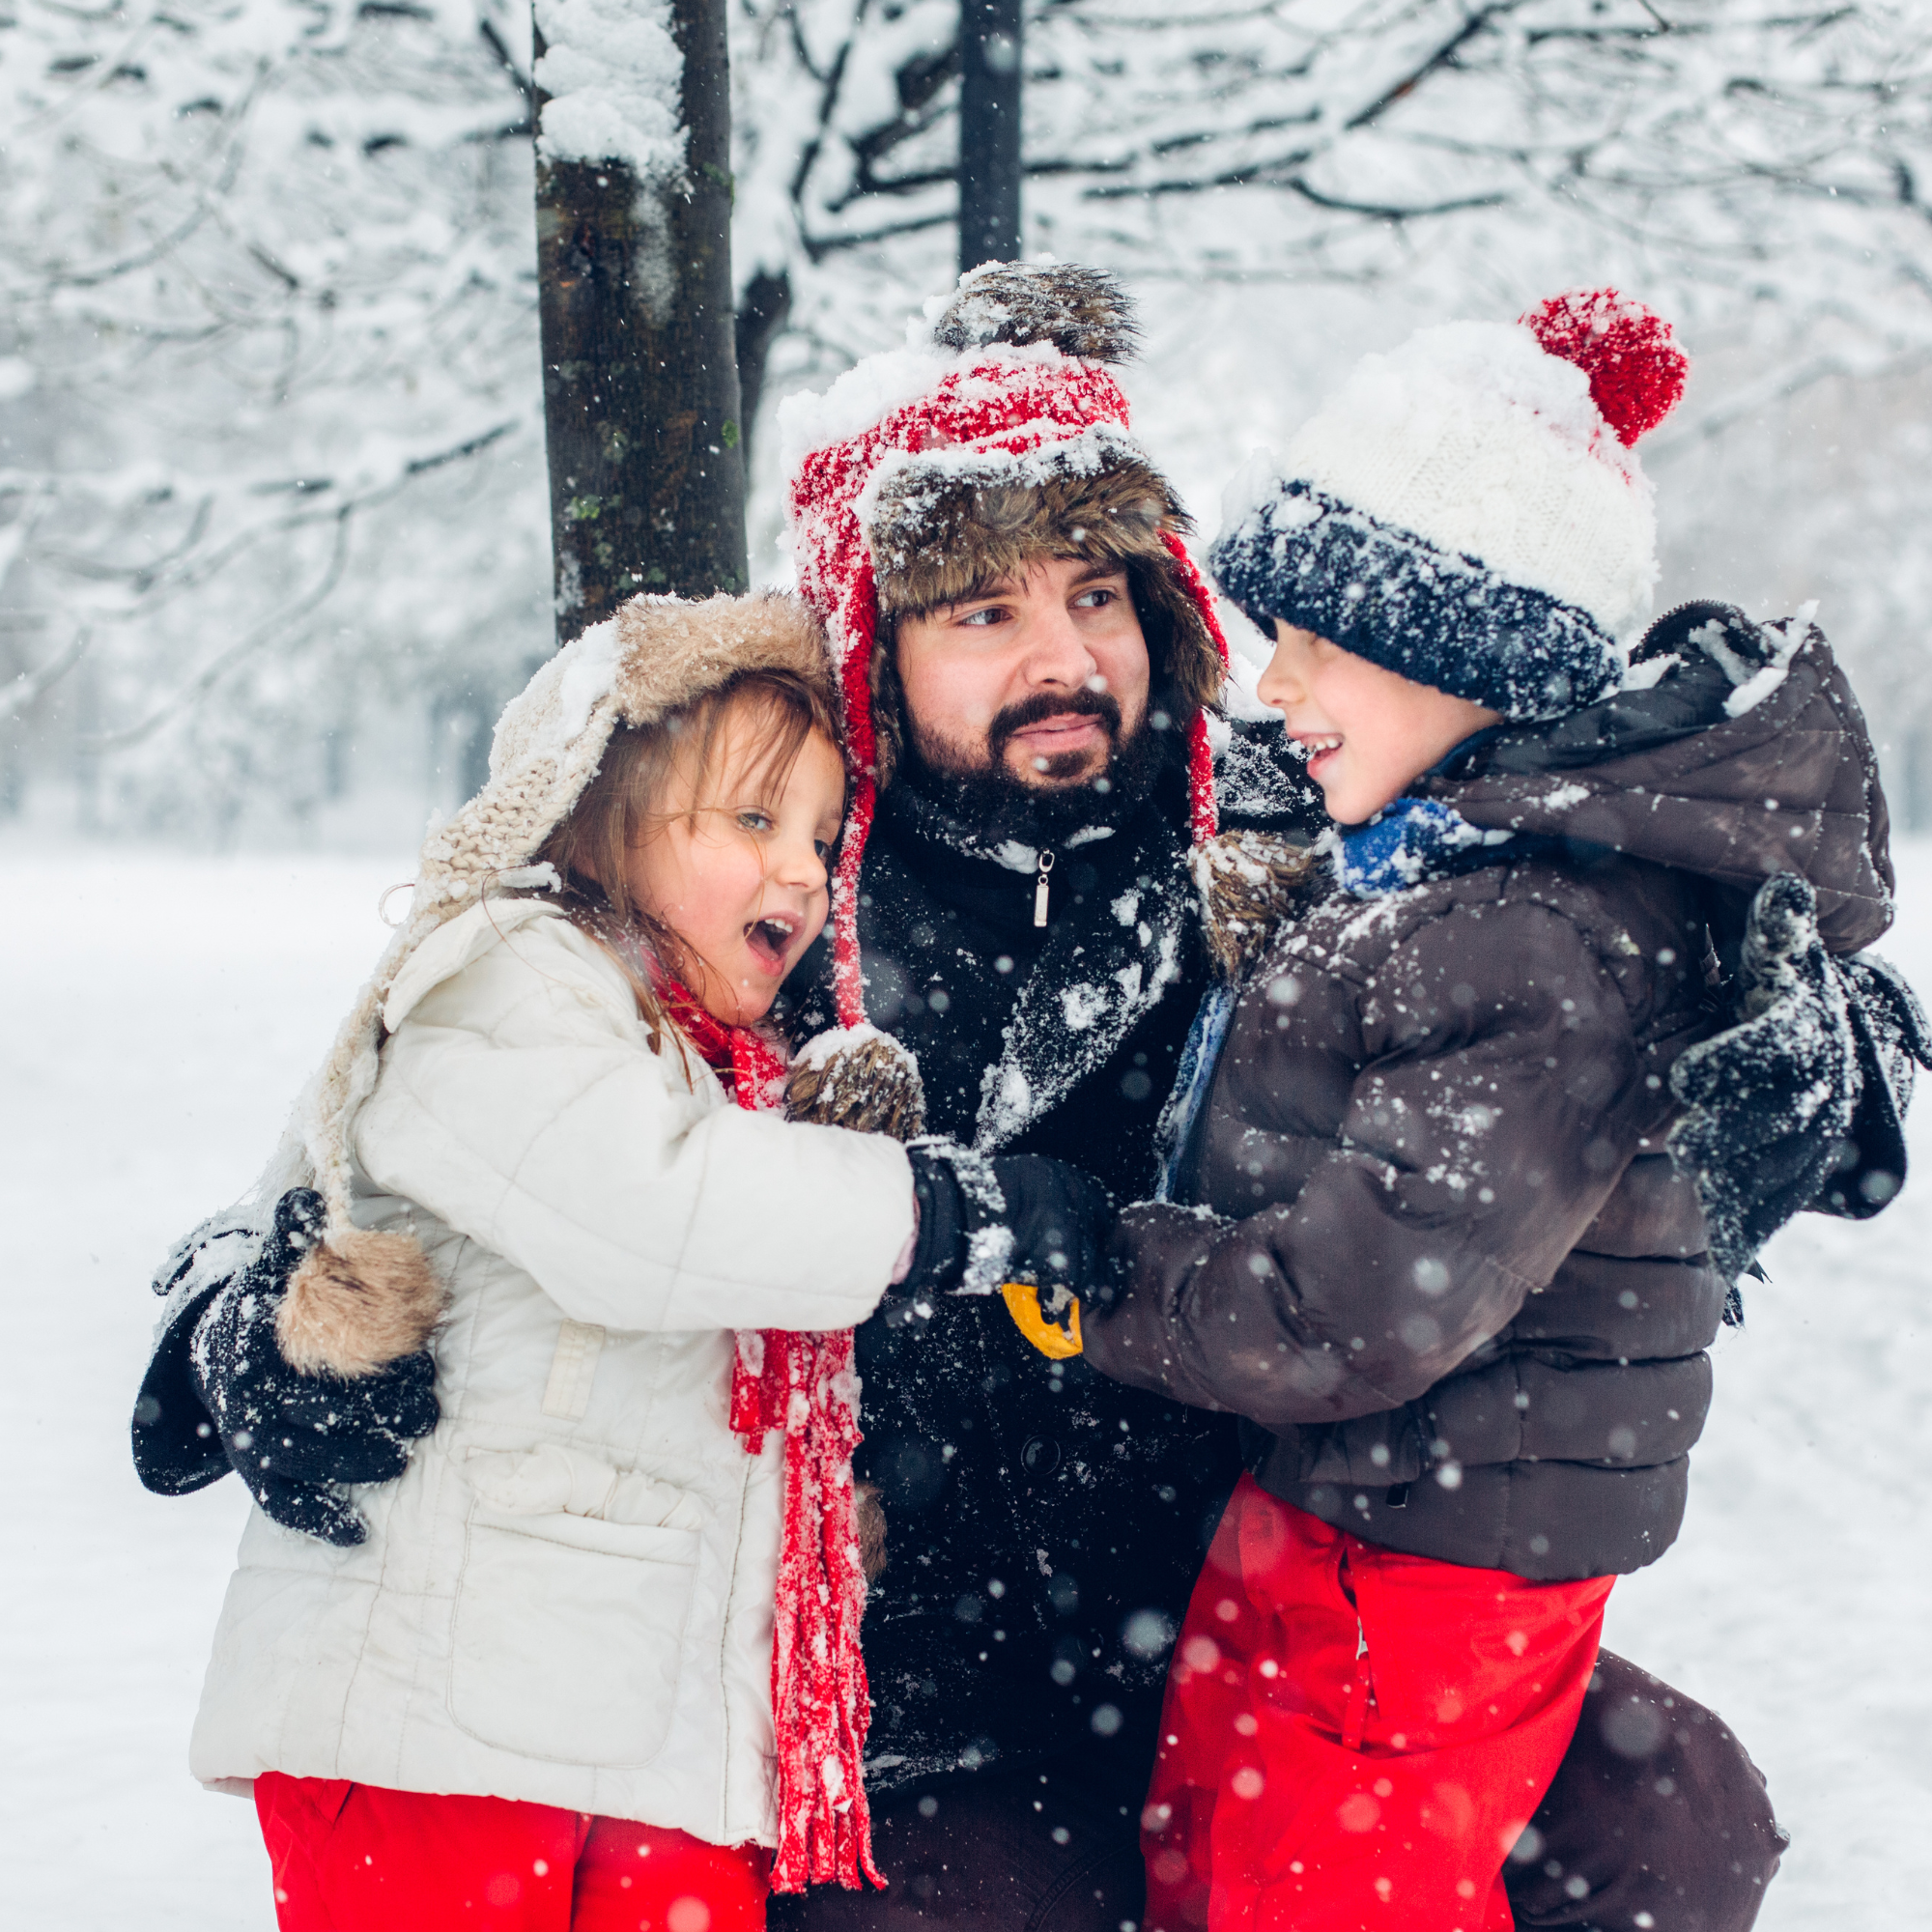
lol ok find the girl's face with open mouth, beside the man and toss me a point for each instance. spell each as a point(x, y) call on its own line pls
point(737, 874)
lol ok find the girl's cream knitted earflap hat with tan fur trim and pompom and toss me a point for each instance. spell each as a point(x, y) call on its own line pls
point(652, 658)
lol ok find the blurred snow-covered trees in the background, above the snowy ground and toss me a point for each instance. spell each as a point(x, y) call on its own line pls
point(271, 447)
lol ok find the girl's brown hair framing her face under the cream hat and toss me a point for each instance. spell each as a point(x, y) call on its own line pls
point(627, 803)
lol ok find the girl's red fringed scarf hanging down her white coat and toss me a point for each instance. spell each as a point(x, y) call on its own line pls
point(803, 1386)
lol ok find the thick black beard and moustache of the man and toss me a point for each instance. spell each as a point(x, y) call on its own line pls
point(996, 805)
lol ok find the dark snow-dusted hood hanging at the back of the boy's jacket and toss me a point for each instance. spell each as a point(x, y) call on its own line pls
point(1736, 751)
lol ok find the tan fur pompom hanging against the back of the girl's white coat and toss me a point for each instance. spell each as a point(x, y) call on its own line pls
point(358, 1303)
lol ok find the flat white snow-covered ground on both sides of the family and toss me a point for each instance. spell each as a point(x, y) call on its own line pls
point(163, 1015)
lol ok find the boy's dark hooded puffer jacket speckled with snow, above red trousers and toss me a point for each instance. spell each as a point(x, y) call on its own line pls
point(1448, 1270)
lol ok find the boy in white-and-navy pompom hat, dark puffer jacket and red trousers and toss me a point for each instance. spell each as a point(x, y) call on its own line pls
point(1440, 1259)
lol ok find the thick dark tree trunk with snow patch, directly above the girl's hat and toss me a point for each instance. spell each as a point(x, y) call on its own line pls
point(640, 376)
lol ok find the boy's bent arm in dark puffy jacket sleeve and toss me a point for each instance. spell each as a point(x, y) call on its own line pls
point(1481, 1141)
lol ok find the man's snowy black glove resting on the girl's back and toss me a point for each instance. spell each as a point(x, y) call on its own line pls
point(297, 1438)
